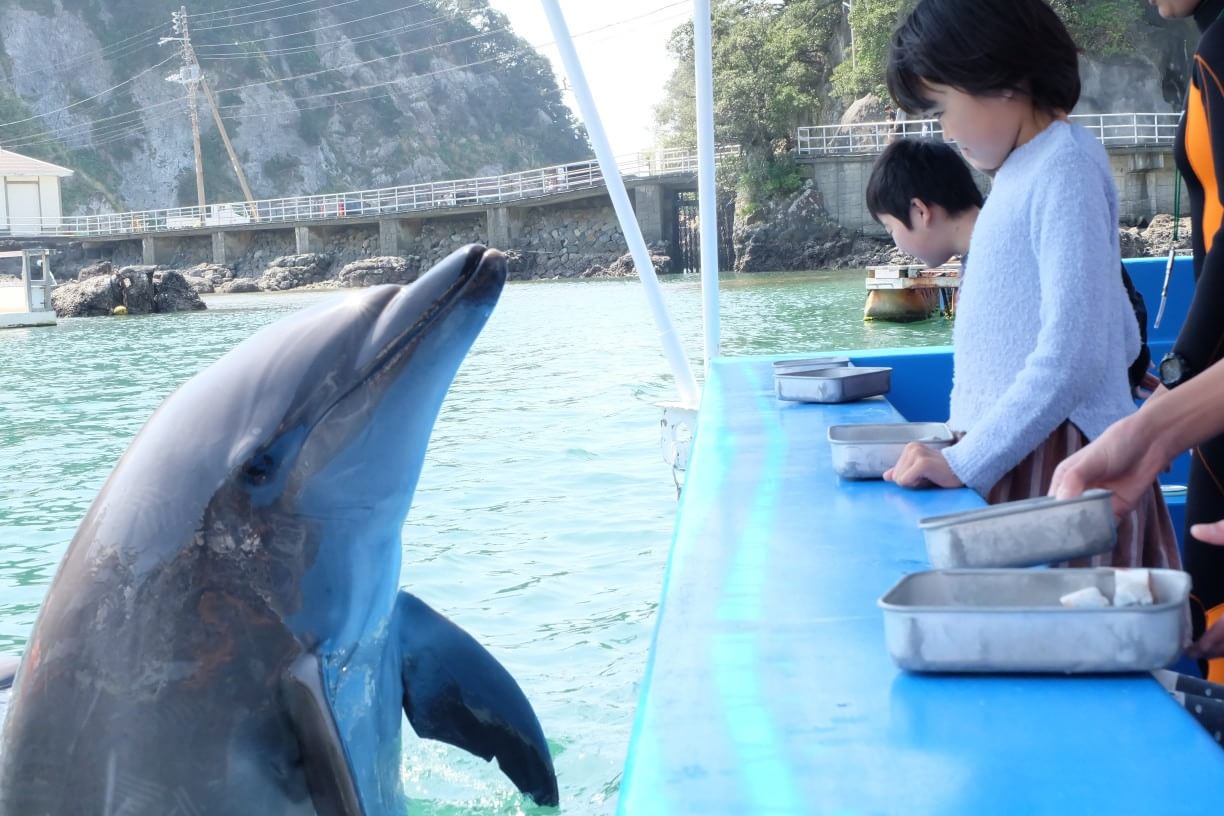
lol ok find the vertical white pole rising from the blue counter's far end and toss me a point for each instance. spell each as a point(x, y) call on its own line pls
point(708, 201)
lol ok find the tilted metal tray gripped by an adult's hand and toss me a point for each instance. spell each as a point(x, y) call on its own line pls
point(1023, 534)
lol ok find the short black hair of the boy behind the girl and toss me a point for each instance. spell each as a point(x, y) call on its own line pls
point(931, 172)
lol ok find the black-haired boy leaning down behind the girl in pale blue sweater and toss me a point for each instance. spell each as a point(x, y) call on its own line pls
point(924, 194)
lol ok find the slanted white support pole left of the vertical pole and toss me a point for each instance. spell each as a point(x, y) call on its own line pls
point(620, 196)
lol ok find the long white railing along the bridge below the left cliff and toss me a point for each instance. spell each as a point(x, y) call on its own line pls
point(367, 204)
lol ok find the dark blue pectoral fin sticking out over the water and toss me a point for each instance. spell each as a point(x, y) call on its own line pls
point(457, 693)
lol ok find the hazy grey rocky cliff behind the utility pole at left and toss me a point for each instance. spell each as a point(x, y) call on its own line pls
point(360, 94)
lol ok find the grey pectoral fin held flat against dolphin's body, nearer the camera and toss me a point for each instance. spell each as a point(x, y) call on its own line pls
point(329, 775)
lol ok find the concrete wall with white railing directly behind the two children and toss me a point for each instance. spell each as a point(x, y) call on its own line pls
point(840, 158)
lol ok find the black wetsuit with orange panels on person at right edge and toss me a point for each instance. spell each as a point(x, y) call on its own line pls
point(1200, 154)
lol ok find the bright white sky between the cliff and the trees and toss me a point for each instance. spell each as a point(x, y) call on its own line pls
point(626, 63)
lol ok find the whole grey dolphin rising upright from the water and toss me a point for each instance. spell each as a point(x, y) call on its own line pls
point(226, 633)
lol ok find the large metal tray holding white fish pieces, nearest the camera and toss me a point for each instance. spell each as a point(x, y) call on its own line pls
point(1012, 621)
